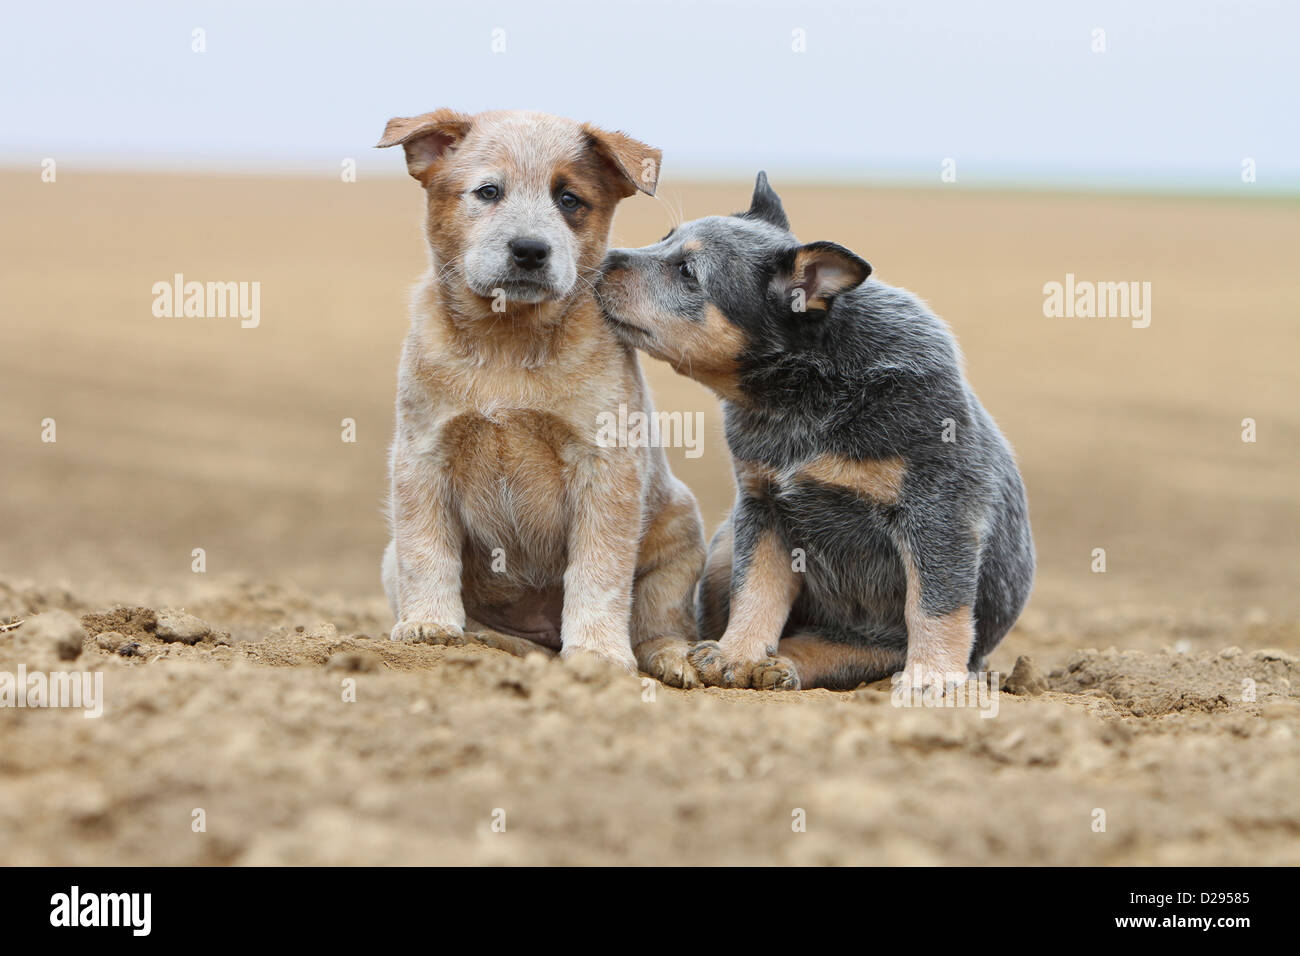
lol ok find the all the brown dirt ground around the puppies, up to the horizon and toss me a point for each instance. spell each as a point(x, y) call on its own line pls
point(1167, 729)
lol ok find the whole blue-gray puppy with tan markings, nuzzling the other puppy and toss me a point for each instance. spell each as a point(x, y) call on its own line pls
point(881, 522)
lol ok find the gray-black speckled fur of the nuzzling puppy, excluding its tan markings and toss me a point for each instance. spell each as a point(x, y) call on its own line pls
point(874, 377)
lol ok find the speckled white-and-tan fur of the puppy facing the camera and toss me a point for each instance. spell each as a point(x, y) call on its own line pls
point(512, 525)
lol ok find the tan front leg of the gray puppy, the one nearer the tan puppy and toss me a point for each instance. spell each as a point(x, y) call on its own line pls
point(762, 603)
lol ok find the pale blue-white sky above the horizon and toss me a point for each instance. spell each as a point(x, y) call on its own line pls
point(1012, 92)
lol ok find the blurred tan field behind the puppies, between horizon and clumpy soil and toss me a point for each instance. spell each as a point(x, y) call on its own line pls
point(181, 434)
